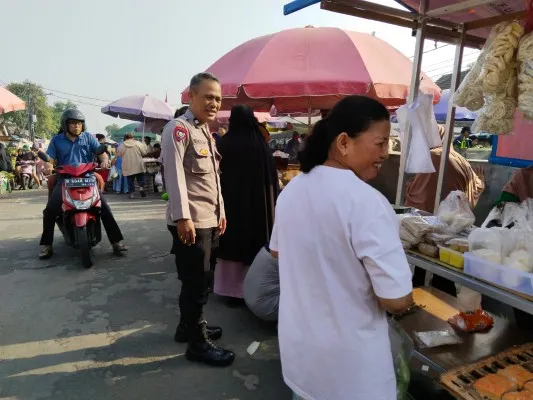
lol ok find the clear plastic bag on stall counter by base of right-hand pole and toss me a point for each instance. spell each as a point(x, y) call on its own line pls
point(455, 211)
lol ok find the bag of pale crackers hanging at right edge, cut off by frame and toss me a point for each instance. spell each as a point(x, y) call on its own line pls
point(525, 76)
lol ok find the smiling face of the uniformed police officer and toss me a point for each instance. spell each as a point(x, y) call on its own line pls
point(206, 100)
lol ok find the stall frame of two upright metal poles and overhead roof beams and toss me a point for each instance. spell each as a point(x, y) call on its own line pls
point(428, 24)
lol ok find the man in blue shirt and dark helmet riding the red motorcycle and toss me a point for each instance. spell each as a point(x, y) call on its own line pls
point(74, 145)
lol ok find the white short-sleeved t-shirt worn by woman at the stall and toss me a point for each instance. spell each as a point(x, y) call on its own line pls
point(339, 247)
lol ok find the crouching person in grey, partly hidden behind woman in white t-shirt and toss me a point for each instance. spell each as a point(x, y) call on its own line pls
point(261, 286)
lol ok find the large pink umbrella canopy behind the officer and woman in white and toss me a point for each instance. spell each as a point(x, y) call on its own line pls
point(303, 68)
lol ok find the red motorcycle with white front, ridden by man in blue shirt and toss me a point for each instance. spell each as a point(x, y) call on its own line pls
point(80, 220)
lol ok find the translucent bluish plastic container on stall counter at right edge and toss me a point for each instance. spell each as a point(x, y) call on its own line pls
point(500, 275)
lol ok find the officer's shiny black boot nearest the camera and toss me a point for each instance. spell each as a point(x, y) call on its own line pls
point(201, 348)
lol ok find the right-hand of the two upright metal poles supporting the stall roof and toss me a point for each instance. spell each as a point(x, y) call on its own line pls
point(450, 118)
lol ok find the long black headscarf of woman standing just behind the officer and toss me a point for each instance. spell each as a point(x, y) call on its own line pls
point(249, 183)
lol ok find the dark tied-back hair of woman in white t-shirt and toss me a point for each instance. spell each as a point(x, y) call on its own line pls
point(353, 115)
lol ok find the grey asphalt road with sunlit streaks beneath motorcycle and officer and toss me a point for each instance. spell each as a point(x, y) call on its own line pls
point(107, 332)
